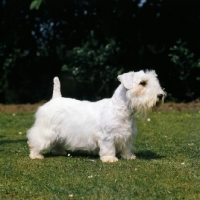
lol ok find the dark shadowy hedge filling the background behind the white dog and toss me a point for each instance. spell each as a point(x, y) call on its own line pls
point(40, 38)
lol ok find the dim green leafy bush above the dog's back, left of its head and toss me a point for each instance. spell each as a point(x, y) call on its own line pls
point(93, 60)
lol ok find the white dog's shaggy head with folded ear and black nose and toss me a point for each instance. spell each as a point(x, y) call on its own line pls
point(144, 92)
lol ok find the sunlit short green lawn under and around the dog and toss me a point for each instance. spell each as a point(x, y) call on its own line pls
point(167, 164)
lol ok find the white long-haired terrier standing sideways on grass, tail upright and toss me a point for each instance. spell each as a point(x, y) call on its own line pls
point(106, 127)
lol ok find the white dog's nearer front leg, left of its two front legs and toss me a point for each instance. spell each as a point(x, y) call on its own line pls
point(107, 150)
